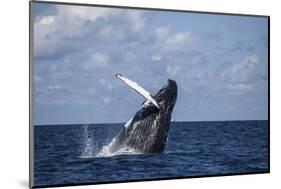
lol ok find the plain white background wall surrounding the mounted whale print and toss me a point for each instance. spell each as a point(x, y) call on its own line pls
point(14, 92)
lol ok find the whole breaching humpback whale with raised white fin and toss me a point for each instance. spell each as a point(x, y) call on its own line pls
point(147, 131)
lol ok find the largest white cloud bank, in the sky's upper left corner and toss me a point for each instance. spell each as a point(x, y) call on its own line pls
point(51, 32)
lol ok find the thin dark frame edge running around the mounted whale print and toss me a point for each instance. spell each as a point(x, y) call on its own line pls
point(31, 125)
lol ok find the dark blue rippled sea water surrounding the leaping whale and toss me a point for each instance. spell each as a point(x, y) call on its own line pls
point(65, 154)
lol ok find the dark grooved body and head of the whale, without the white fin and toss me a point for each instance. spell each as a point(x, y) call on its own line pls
point(148, 130)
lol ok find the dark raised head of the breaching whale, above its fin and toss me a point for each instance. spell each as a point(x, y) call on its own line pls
point(167, 96)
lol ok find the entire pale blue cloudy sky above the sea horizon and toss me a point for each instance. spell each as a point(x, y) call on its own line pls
point(220, 63)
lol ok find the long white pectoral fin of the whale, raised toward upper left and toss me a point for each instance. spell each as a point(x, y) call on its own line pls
point(139, 89)
